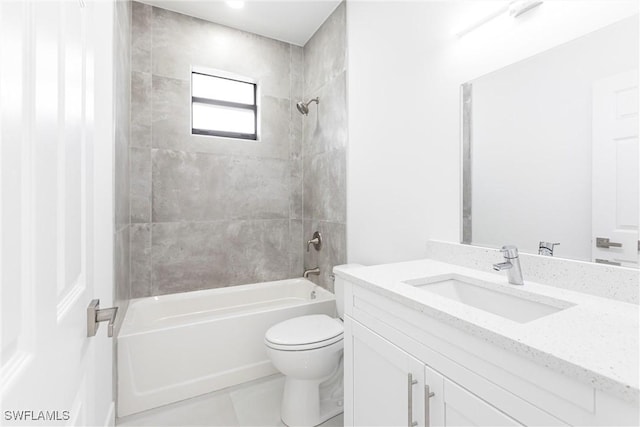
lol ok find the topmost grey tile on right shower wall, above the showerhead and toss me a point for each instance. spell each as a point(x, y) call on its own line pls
point(325, 52)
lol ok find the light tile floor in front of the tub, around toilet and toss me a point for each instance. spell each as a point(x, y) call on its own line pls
point(252, 404)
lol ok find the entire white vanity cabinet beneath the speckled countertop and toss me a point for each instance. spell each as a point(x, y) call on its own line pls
point(393, 353)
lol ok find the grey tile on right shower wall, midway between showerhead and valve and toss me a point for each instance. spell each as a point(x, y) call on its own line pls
point(325, 186)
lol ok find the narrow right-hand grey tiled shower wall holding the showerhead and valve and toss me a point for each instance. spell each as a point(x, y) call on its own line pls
point(324, 146)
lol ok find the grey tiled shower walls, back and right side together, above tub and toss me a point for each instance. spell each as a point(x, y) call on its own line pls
point(209, 212)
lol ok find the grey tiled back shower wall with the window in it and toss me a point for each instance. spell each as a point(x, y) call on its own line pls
point(210, 212)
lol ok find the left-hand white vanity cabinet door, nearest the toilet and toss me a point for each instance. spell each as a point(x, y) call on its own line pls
point(388, 384)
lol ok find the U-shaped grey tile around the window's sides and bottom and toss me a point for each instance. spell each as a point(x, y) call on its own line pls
point(171, 111)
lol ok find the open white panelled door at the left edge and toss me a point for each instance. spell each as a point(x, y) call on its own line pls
point(55, 211)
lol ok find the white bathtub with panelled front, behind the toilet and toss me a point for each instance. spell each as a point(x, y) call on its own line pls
point(174, 347)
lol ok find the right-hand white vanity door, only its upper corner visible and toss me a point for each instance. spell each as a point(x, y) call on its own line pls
point(462, 408)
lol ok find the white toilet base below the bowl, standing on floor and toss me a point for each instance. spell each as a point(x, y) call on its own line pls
point(310, 403)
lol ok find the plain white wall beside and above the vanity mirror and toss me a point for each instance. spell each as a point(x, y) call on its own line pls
point(405, 70)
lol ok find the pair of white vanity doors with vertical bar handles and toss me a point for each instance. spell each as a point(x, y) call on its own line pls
point(392, 388)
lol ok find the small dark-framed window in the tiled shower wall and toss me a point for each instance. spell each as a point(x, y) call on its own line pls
point(223, 106)
